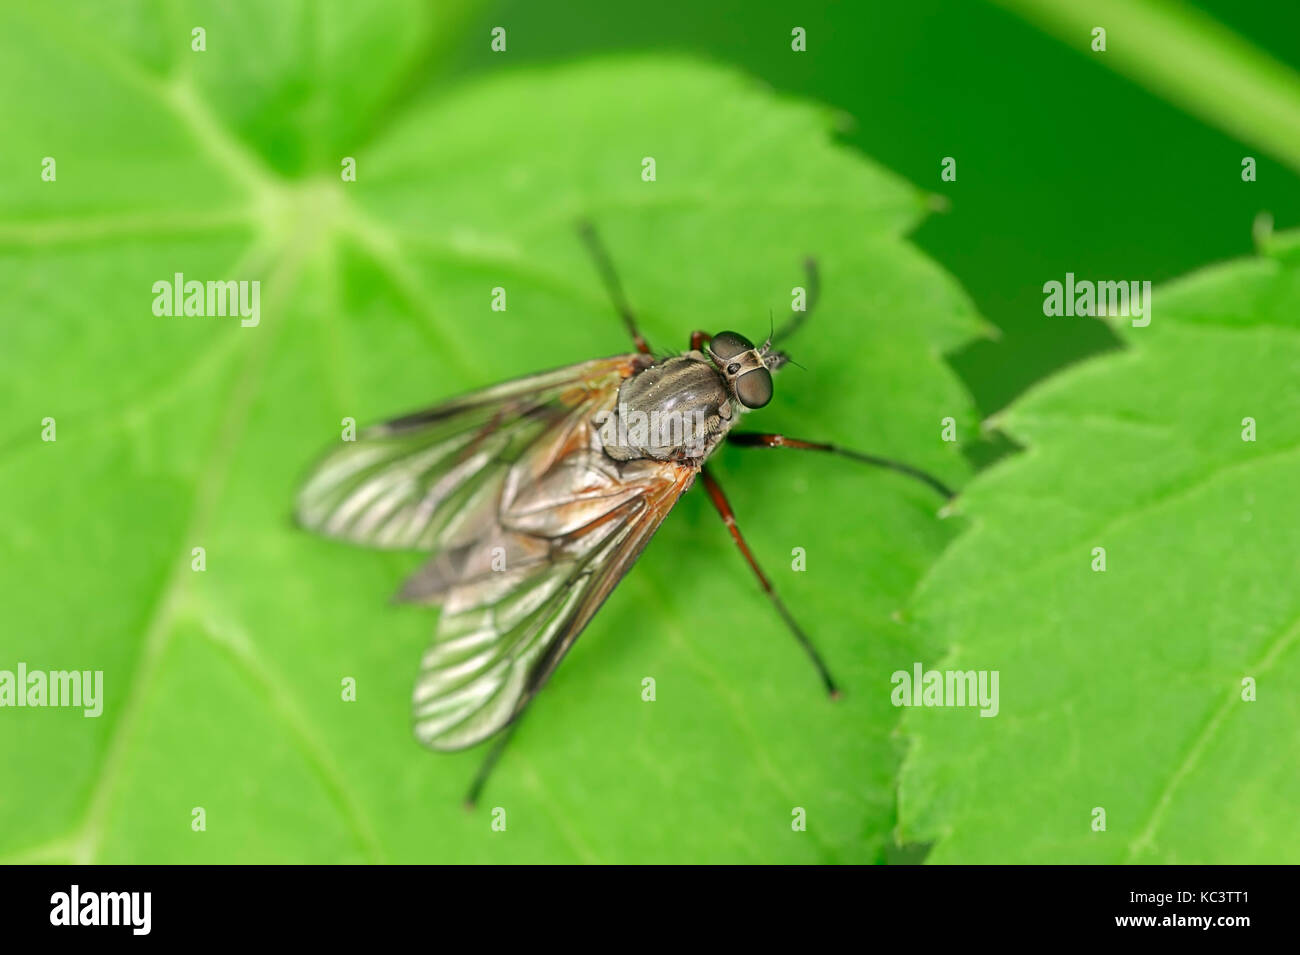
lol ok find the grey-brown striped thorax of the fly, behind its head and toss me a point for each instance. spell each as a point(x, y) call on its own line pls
point(675, 410)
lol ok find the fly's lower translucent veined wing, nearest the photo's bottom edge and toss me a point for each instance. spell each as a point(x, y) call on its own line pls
point(562, 548)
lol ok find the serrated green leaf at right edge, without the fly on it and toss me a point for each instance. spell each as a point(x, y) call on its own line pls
point(1124, 691)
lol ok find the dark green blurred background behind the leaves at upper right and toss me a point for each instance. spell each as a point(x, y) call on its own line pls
point(1063, 164)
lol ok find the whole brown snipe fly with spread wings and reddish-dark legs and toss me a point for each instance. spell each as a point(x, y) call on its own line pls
point(538, 496)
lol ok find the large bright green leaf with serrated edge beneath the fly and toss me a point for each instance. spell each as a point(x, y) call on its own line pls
point(223, 688)
